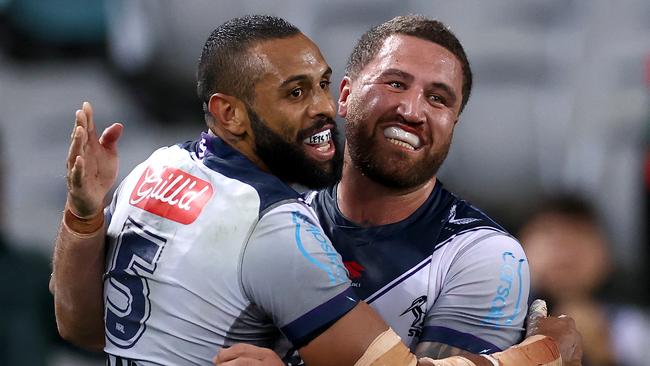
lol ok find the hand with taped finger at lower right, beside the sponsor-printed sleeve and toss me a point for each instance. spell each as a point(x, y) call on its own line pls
point(562, 329)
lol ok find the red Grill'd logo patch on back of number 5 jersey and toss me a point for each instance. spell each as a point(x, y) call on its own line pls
point(171, 193)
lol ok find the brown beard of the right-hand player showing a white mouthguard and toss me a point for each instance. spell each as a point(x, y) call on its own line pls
point(395, 171)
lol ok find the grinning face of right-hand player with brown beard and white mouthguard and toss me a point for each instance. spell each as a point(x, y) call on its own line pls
point(401, 110)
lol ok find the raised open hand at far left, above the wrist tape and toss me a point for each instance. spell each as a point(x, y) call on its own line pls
point(92, 163)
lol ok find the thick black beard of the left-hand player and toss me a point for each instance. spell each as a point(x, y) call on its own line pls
point(288, 161)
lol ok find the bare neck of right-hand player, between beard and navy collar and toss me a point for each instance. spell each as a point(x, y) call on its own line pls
point(369, 203)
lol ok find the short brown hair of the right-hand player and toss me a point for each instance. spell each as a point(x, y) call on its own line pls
point(412, 25)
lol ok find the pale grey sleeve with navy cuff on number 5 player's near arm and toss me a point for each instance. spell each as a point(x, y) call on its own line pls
point(290, 270)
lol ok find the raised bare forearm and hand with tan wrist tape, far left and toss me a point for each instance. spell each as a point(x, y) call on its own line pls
point(78, 259)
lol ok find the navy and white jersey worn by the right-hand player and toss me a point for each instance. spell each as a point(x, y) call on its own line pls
point(446, 274)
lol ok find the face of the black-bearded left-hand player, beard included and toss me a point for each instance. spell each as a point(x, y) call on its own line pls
point(292, 113)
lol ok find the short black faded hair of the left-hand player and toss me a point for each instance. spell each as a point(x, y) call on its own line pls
point(225, 65)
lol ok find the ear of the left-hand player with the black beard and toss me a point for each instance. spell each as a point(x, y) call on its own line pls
point(229, 113)
